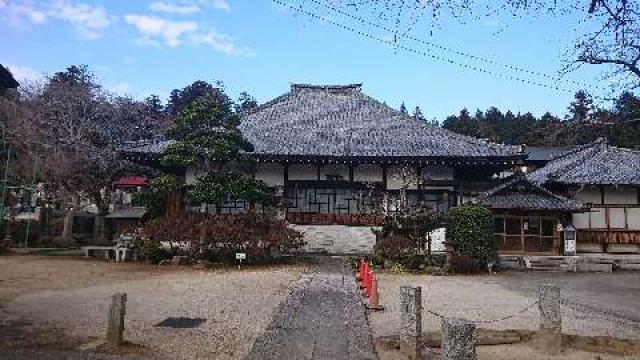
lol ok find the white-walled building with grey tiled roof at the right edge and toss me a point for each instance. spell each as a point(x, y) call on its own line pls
point(606, 179)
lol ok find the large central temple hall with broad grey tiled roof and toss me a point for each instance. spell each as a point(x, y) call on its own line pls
point(338, 156)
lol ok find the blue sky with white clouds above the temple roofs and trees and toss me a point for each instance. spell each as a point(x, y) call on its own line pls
point(140, 47)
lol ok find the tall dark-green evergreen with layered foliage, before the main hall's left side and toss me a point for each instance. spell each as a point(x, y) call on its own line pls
point(207, 135)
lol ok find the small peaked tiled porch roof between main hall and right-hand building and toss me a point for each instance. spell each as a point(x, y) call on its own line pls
point(520, 193)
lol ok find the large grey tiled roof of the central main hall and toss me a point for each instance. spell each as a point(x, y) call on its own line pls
point(342, 121)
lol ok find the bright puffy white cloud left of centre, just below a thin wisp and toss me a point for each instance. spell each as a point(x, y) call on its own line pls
point(153, 29)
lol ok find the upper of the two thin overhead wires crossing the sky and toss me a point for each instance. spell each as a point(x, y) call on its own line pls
point(442, 47)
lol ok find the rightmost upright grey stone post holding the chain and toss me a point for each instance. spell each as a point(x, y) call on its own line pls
point(550, 334)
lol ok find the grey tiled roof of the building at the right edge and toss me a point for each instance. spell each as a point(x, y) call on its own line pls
point(596, 163)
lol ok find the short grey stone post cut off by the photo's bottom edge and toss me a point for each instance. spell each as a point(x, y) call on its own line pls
point(458, 339)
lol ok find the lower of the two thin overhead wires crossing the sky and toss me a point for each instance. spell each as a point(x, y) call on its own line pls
point(423, 53)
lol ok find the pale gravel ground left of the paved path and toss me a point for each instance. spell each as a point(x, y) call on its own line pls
point(238, 306)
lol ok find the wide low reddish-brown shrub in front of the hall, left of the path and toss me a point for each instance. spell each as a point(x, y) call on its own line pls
point(218, 237)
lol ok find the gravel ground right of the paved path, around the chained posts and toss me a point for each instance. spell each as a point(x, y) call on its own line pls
point(498, 296)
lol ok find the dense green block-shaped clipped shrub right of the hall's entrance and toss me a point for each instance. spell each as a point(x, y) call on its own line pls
point(470, 233)
